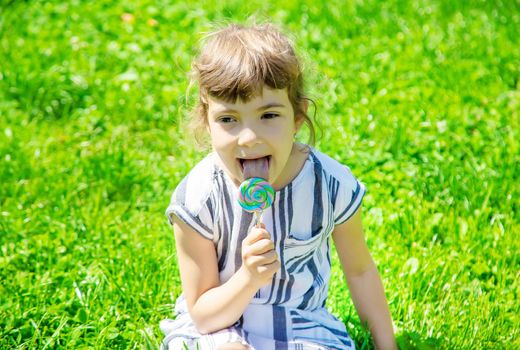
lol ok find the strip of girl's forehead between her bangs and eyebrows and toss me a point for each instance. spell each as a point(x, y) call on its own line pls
point(268, 96)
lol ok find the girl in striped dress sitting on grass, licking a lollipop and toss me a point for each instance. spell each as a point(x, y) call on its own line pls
point(264, 287)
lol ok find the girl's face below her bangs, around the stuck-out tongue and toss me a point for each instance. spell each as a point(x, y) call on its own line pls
point(262, 127)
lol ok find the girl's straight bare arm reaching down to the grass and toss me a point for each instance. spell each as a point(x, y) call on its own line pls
point(363, 281)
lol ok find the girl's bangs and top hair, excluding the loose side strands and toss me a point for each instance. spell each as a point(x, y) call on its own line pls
point(238, 65)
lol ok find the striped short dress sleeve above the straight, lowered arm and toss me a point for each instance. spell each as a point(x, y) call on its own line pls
point(348, 195)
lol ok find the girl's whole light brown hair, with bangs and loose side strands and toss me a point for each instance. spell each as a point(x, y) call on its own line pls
point(236, 62)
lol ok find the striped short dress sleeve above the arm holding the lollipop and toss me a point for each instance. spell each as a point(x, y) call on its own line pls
point(193, 206)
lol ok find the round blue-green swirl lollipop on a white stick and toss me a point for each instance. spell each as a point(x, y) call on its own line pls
point(255, 195)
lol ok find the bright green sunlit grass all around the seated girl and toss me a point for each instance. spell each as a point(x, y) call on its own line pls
point(421, 100)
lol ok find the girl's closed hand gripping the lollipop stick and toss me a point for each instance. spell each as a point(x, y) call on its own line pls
point(259, 258)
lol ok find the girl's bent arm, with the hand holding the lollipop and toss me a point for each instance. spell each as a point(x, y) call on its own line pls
point(214, 306)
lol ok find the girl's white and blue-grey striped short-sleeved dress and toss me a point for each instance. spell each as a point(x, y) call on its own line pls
point(288, 313)
